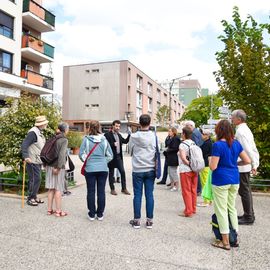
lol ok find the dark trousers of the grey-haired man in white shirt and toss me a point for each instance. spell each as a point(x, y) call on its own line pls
point(246, 196)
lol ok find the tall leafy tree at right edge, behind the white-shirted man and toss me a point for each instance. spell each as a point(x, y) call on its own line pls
point(244, 77)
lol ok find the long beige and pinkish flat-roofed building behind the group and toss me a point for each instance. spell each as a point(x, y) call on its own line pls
point(112, 90)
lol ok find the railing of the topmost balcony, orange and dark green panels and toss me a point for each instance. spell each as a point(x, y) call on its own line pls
point(38, 10)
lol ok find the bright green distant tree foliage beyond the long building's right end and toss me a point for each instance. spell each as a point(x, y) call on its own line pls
point(199, 110)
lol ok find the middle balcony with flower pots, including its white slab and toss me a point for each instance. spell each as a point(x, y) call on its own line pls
point(36, 50)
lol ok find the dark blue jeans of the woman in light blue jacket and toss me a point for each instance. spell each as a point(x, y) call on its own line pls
point(93, 178)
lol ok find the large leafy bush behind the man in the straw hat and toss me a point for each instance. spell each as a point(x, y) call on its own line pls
point(16, 122)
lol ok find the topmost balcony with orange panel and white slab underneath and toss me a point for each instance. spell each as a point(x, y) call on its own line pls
point(37, 17)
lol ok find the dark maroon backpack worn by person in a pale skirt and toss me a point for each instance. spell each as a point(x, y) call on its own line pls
point(48, 153)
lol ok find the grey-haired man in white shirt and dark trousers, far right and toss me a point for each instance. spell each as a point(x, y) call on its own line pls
point(245, 137)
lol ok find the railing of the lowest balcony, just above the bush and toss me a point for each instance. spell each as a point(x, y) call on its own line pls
point(37, 79)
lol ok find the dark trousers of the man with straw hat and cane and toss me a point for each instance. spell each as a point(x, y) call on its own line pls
point(34, 178)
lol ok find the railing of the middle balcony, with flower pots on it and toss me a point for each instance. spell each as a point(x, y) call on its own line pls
point(38, 45)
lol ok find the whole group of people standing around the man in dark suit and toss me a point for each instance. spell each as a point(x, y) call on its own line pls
point(103, 153)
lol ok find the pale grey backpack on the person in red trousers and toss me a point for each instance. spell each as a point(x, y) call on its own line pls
point(196, 161)
